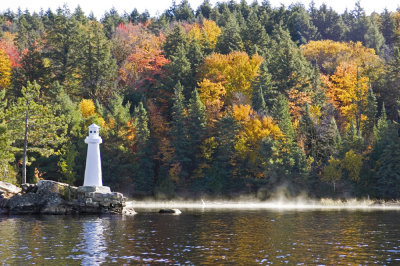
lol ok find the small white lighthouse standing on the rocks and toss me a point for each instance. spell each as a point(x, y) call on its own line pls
point(93, 163)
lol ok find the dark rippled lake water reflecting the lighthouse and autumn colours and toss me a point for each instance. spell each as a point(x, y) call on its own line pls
point(242, 236)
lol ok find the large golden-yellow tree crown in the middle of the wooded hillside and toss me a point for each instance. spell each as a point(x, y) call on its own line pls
point(235, 71)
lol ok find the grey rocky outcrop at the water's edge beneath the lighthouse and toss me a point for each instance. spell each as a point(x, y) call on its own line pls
point(50, 197)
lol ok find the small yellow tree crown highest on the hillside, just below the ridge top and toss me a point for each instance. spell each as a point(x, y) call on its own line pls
point(206, 33)
